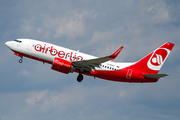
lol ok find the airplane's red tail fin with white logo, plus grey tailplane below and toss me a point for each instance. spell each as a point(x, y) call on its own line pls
point(152, 63)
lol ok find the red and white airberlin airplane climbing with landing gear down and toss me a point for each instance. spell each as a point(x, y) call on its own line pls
point(68, 61)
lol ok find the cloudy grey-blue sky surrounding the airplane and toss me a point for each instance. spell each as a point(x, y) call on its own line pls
point(32, 91)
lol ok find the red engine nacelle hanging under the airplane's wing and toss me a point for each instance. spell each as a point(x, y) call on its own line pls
point(61, 65)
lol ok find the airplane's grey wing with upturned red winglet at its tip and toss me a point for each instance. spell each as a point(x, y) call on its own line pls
point(89, 65)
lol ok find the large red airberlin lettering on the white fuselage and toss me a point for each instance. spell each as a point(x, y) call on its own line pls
point(54, 52)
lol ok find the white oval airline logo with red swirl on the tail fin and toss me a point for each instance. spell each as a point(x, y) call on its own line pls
point(157, 59)
